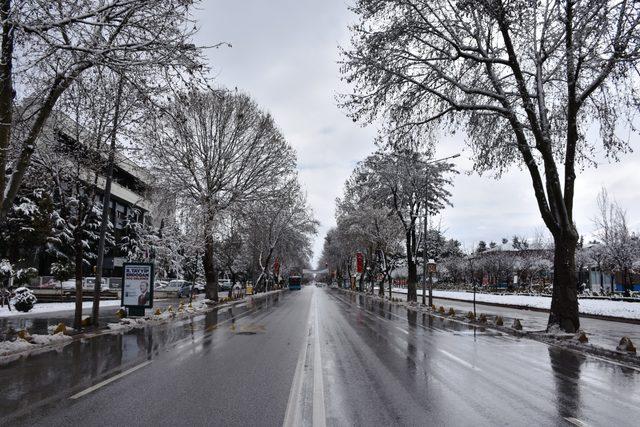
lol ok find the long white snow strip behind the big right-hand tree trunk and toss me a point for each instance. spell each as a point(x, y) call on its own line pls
point(624, 309)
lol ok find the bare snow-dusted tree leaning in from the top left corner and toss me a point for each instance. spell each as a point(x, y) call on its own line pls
point(46, 46)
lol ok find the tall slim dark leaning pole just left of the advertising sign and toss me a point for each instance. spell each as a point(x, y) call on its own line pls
point(106, 204)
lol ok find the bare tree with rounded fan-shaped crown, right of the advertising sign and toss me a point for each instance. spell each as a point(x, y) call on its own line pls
point(214, 150)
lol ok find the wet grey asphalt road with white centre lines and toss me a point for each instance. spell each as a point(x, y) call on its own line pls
point(316, 357)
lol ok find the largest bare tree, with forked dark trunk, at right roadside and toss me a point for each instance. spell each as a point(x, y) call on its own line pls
point(524, 79)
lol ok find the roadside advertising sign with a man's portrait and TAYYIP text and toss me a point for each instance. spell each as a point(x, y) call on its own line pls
point(137, 287)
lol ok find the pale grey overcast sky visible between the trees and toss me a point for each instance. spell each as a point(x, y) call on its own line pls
point(285, 55)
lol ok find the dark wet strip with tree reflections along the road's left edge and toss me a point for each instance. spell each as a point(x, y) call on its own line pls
point(41, 377)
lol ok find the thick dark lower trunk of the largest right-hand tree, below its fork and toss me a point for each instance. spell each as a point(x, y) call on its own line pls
point(564, 304)
